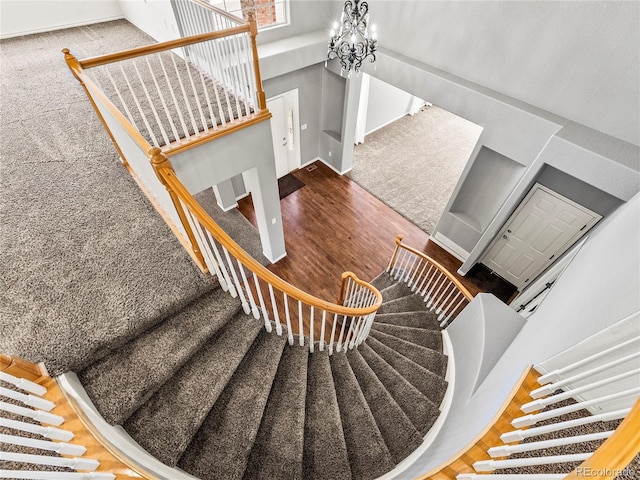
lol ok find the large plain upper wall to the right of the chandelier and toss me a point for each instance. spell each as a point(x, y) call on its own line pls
point(578, 60)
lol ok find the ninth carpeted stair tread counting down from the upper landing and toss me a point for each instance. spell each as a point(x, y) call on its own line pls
point(428, 383)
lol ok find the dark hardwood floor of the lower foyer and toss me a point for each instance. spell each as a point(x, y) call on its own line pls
point(332, 225)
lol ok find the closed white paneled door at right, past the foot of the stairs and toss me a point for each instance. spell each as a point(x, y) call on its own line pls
point(543, 227)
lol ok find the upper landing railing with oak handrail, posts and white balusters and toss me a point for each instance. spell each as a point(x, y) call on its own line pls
point(180, 94)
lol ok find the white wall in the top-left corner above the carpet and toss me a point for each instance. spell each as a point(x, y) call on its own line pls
point(23, 17)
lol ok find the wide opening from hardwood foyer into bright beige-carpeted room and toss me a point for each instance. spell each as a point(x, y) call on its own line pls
point(413, 153)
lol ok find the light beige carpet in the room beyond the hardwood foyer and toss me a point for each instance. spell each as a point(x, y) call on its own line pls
point(413, 164)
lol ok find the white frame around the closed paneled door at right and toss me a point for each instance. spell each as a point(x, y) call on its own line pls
point(572, 241)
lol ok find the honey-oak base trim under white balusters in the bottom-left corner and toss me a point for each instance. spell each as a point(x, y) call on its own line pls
point(75, 422)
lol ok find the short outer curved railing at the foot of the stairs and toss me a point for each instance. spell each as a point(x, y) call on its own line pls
point(441, 291)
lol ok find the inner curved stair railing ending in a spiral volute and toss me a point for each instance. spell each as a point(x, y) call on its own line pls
point(335, 326)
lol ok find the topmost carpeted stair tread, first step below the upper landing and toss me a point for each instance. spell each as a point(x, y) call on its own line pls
point(143, 365)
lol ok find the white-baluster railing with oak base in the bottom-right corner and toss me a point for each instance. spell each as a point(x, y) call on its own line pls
point(606, 383)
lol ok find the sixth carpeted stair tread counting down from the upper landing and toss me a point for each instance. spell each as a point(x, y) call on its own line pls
point(369, 456)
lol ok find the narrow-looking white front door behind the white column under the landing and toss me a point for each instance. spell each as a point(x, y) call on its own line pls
point(285, 131)
